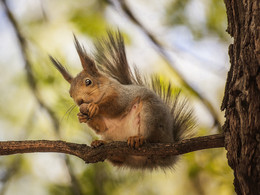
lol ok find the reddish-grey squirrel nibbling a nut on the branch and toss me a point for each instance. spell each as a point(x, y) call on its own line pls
point(121, 105)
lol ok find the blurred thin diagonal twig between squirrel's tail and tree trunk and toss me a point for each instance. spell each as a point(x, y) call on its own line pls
point(162, 51)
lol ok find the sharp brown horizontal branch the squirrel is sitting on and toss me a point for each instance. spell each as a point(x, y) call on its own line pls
point(93, 155)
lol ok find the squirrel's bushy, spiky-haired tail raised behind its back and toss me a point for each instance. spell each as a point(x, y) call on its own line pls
point(111, 57)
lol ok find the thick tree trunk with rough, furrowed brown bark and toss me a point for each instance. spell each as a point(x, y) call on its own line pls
point(242, 95)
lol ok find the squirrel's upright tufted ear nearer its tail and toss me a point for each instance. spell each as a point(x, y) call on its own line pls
point(87, 62)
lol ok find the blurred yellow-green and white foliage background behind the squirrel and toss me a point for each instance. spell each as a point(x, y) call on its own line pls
point(183, 41)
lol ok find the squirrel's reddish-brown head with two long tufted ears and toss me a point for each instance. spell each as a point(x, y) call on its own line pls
point(88, 85)
